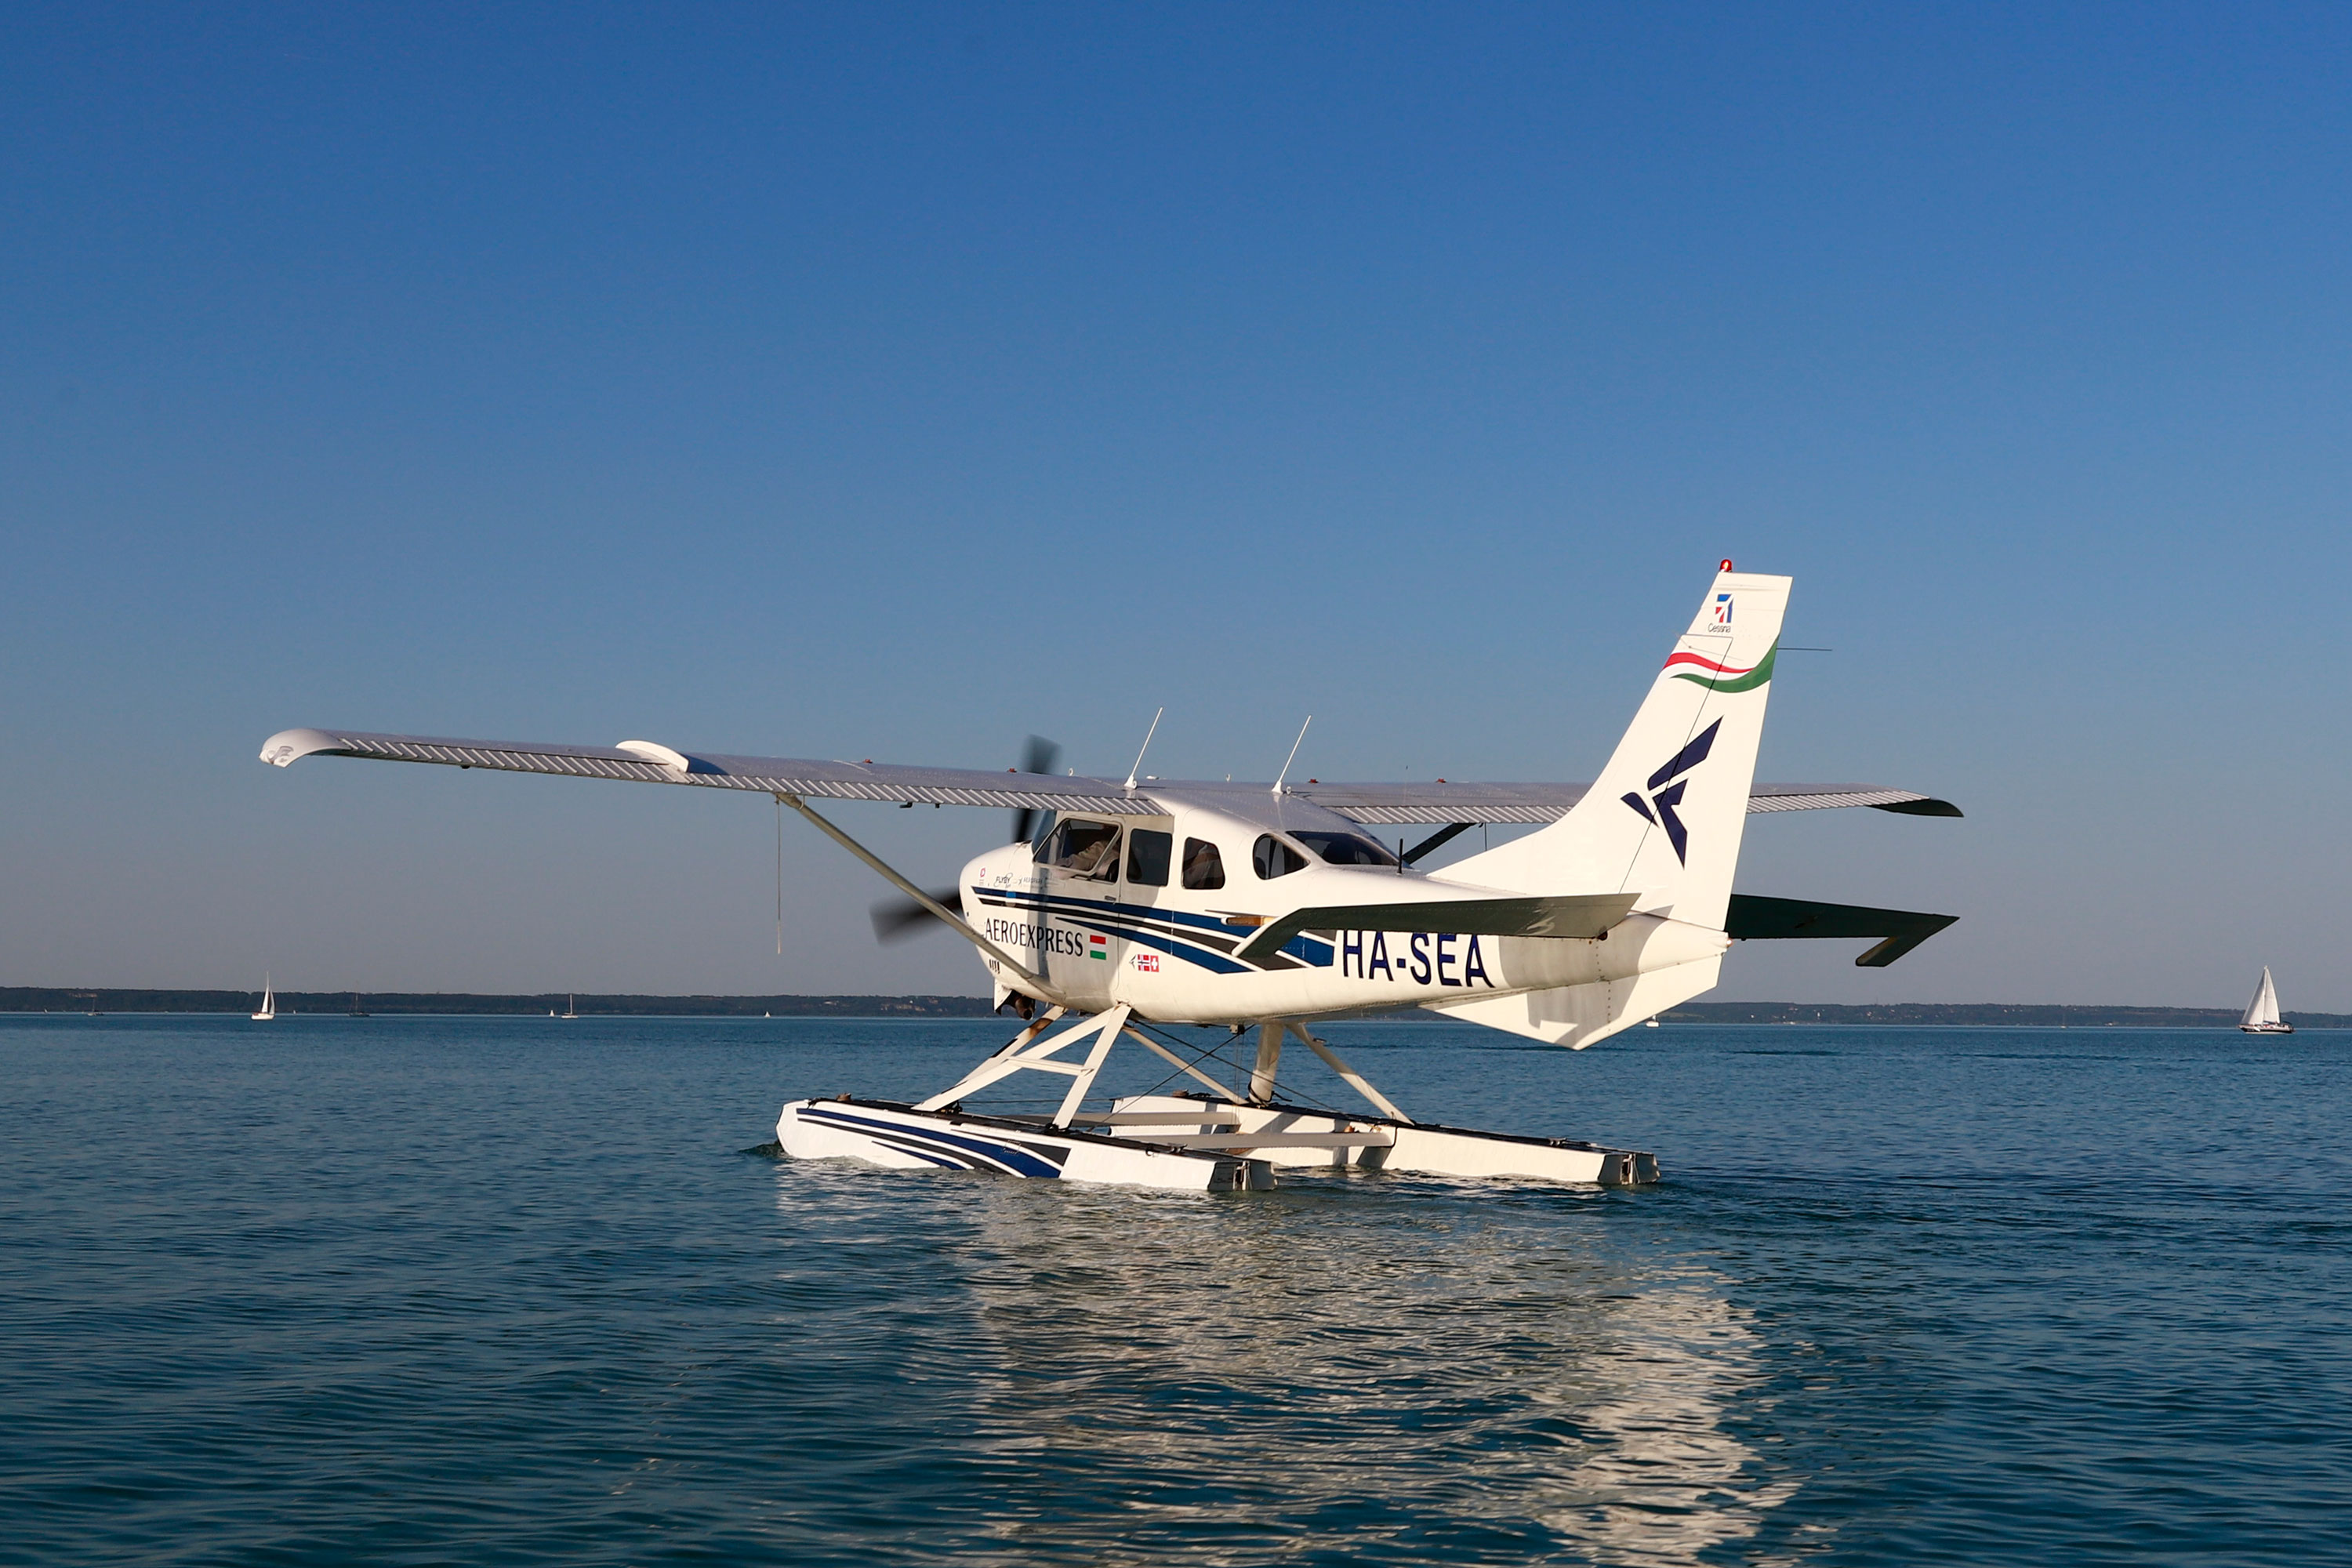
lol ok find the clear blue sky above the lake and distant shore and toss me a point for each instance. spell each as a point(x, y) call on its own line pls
point(897, 382)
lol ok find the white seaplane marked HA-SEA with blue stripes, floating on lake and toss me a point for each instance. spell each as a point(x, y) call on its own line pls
point(1130, 906)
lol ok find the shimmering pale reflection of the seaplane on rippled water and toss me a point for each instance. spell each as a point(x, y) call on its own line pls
point(1330, 1374)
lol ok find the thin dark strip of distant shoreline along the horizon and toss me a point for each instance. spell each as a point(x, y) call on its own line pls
point(472, 1005)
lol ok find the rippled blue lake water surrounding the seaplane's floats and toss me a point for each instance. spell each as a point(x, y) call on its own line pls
point(514, 1292)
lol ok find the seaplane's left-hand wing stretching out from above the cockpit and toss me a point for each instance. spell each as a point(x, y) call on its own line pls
point(650, 763)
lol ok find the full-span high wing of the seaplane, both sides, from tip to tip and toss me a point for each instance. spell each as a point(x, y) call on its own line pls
point(900, 784)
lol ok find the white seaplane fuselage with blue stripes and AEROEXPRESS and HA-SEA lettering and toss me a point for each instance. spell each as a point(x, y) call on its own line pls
point(1118, 923)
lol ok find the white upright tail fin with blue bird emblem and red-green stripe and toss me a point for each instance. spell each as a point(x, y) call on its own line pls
point(1664, 819)
